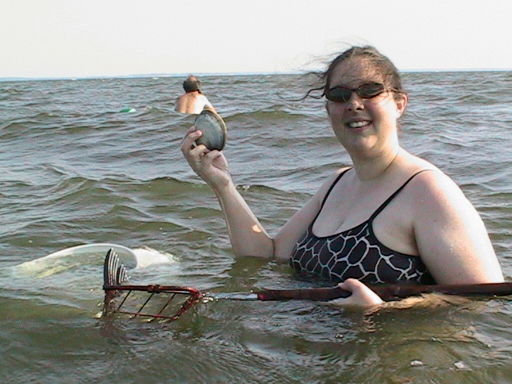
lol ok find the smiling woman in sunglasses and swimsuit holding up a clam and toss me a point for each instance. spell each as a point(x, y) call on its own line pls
point(390, 218)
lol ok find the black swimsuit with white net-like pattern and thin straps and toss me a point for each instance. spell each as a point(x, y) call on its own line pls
point(357, 253)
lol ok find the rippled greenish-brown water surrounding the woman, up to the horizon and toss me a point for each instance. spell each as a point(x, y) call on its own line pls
point(76, 170)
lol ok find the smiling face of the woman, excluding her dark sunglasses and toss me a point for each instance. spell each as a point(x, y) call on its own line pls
point(364, 127)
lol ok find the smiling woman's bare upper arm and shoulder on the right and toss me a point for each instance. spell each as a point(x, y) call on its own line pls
point(450, 234)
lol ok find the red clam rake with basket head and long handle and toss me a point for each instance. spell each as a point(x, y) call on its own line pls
point(169, 302)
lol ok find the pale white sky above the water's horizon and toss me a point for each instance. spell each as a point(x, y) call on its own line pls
point(80, 38)
